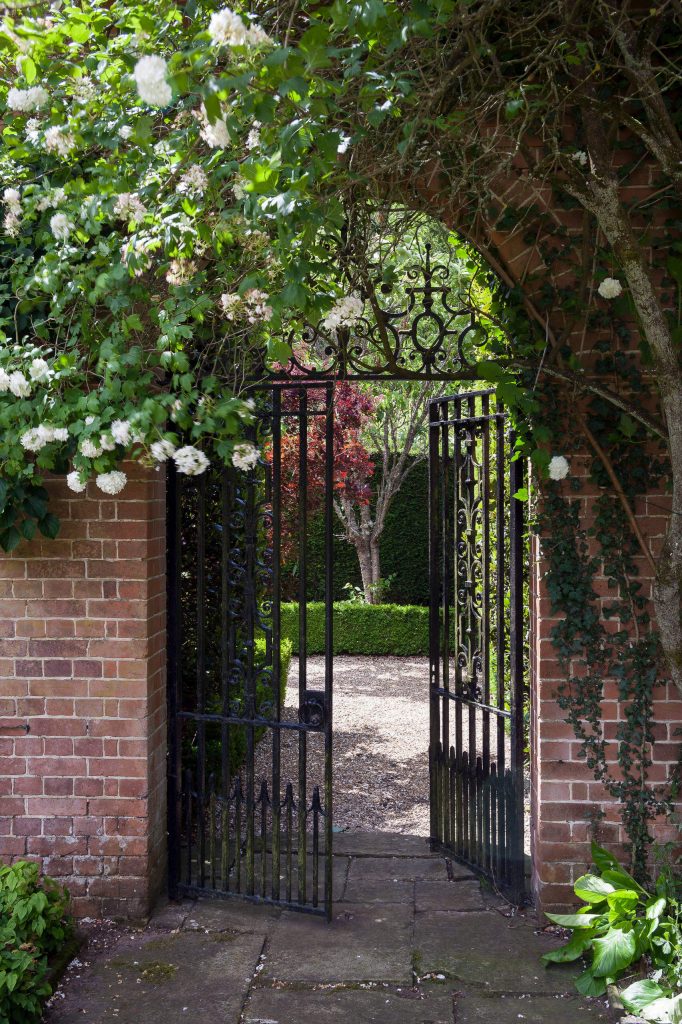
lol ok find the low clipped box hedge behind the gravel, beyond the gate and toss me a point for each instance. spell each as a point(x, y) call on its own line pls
point(362, 629)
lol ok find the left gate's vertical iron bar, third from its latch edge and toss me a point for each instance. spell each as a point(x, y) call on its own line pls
point(277, 638)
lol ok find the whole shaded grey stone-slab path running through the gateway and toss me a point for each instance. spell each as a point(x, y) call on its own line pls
point(414, 941)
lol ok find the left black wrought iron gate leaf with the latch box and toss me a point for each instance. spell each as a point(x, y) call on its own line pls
point(248, 816)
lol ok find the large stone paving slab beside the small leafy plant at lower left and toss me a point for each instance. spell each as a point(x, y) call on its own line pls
point(170, 979)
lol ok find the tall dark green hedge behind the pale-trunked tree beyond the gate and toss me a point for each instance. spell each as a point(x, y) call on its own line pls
point(408, 518)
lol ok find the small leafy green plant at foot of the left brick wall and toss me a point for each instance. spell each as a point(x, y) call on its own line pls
point(34, 928)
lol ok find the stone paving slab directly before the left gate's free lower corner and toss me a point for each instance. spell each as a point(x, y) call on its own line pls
point(362, 944)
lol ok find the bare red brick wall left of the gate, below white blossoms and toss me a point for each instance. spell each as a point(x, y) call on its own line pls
point(82, 666)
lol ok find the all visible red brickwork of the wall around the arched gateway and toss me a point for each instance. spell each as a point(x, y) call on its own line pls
point(82, 657)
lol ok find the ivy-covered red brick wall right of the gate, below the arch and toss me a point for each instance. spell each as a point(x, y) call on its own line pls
point(569, 807)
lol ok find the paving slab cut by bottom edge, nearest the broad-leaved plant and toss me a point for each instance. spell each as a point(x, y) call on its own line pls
point(473, 1009)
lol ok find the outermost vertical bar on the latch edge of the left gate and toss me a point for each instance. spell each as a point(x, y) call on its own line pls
point(329, 645)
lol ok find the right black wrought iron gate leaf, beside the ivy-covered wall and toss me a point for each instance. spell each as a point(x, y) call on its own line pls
point(477, 638)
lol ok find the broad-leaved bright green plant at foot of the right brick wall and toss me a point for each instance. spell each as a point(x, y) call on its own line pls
point(625, 928)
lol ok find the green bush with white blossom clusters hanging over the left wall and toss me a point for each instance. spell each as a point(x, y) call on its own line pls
point(140, 265)
